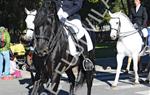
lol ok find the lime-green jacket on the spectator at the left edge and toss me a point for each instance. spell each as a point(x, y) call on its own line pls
point(6, 39)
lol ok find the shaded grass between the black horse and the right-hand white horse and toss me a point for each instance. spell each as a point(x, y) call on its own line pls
point(103, 50)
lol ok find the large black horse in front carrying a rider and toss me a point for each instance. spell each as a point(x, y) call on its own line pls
point(51, 57)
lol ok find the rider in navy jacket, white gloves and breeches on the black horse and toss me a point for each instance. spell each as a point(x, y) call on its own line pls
point(68, 14)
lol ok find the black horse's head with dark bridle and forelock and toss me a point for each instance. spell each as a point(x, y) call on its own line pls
point(45, 26)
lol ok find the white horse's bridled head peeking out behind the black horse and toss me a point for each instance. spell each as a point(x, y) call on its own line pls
point(28, 33)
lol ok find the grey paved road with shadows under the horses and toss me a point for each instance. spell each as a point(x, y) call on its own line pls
point(101, 84)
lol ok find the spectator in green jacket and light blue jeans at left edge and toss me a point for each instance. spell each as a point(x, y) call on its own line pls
point(4, 55)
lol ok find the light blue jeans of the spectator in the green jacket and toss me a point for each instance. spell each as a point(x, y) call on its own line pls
point(4, 55)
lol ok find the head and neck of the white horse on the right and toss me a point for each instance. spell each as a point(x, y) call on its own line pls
point(121, 26)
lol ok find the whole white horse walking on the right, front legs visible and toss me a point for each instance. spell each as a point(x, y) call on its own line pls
point(129, 42)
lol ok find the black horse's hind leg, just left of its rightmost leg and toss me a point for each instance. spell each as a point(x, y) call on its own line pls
point(71, 77)
